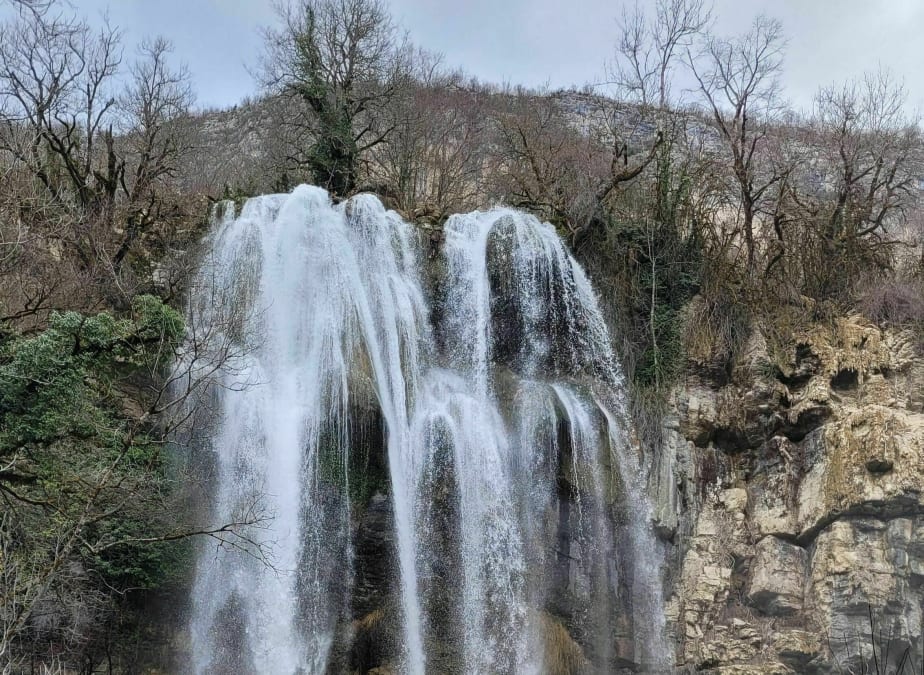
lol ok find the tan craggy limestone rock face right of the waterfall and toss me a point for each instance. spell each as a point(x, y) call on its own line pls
point(795, 499)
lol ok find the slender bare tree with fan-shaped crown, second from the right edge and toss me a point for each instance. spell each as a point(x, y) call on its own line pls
point(739, 83)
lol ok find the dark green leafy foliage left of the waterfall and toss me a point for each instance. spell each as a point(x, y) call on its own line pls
point(81, 468)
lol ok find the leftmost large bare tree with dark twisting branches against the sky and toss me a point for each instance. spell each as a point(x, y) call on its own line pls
point(57, 105)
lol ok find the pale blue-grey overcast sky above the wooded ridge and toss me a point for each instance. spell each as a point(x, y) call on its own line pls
point(534, 42)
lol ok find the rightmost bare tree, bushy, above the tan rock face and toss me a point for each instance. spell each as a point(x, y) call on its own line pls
point(856, 188)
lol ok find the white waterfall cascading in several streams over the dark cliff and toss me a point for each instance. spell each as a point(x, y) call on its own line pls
point(482, 384)
